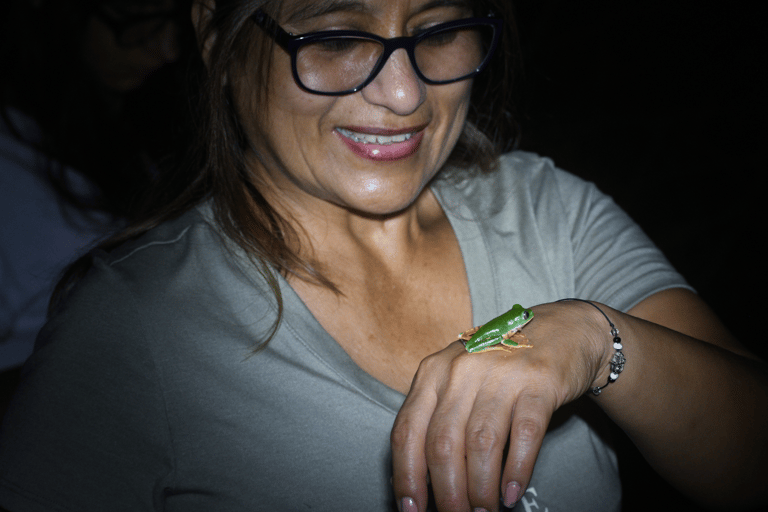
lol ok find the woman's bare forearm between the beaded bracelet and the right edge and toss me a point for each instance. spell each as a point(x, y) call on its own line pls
point(698, 412)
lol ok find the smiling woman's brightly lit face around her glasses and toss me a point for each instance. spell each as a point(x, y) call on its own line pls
point(313, 149)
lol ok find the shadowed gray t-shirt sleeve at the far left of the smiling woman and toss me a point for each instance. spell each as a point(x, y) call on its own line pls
point(87, 429)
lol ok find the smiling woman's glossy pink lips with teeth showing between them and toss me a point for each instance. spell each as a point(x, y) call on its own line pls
point(382, 144)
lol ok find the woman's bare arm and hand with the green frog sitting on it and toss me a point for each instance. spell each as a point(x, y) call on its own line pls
point(698, 410)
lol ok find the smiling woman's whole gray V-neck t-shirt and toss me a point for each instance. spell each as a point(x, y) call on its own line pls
point(145, 394)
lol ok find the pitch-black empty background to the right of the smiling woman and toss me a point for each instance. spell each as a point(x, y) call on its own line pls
point(662, 104)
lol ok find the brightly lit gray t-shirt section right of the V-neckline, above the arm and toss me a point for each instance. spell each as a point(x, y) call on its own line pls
point(532, 233)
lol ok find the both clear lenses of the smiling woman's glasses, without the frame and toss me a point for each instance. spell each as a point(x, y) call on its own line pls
point(344, 63)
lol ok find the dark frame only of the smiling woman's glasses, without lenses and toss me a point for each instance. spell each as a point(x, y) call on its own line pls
point(291, 44)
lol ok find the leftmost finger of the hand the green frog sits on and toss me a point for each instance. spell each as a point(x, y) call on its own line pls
point(409, 463)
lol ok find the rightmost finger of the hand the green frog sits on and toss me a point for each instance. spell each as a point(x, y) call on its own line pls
point(530, 419)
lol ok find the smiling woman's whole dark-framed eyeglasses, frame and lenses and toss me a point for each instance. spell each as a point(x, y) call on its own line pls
point(339, 62)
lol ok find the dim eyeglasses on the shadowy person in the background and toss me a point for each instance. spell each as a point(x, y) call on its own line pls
point(132, 30)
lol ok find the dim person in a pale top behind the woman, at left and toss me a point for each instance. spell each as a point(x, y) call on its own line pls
point(90, 104)
